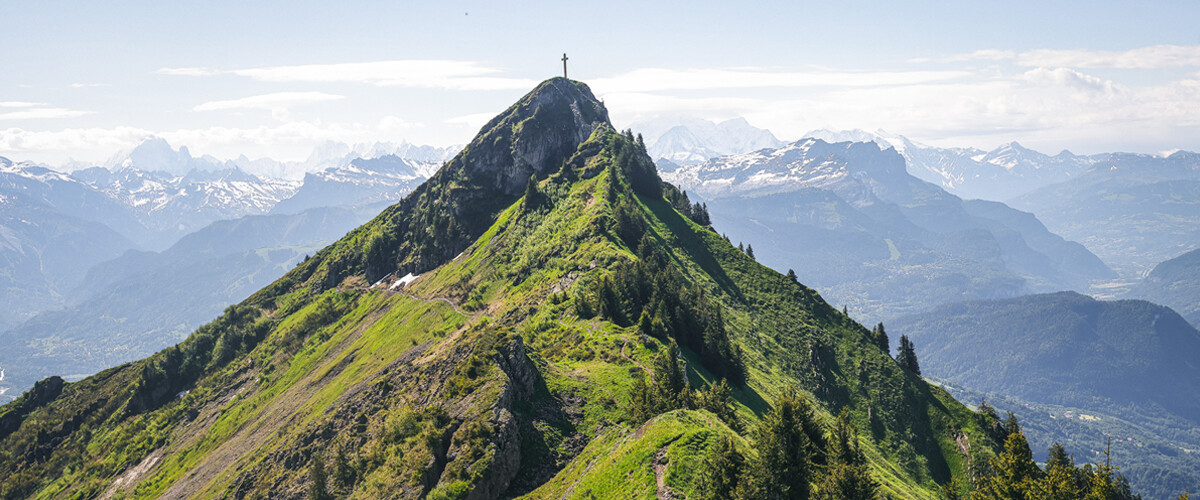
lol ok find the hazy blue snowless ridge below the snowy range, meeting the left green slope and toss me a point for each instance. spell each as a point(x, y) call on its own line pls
point(130, 308)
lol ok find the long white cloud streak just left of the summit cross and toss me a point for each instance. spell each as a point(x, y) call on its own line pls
point(411, 74)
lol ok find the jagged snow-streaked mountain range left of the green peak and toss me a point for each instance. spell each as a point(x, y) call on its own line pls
point(155, 194)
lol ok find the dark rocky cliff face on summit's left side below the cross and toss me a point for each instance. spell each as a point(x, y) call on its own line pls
point(440, 219)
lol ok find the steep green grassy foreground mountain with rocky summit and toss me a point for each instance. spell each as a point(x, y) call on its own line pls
point(495, 357)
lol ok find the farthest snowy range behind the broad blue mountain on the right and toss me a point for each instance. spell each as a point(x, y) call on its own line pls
point(1131, 210)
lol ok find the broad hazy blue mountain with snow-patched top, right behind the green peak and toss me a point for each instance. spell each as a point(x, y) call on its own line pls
point(851, 221)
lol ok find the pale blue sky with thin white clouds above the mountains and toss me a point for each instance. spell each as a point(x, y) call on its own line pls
point(86, 80)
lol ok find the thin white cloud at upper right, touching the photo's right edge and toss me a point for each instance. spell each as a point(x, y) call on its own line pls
point(1143, 58)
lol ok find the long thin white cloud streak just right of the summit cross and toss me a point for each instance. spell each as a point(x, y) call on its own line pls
point(659, 80)
